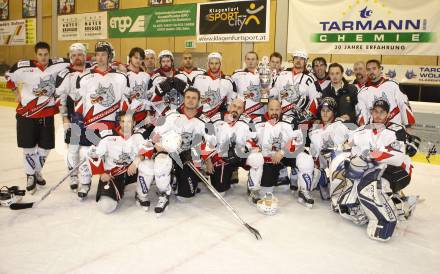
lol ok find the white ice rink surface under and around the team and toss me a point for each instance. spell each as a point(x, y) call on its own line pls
point(64, 235)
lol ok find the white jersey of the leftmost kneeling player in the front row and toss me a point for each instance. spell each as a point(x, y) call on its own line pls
point(114, 152)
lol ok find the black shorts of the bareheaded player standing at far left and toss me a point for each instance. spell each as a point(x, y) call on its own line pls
point(35, 131)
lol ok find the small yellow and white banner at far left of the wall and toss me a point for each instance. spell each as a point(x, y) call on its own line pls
point(18, 32)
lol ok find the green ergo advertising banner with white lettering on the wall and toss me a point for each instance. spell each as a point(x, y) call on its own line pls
point(175, 20)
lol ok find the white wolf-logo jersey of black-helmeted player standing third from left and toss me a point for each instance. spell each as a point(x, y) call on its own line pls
point(100, 95)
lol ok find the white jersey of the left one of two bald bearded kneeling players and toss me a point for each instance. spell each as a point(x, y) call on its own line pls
point(228, 132)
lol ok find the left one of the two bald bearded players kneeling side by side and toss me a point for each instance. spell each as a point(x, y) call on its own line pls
point(236, 146)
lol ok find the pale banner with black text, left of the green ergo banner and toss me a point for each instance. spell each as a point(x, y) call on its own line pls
point(86, 26)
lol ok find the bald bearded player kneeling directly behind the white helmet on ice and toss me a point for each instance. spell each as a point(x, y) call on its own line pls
point(279, 145)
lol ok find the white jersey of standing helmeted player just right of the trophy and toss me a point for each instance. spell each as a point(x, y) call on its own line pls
point(296, 92)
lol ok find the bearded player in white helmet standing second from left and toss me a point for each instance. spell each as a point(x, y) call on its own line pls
point(66, 93)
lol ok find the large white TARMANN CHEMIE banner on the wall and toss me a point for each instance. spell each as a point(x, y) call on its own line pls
point(393, 27)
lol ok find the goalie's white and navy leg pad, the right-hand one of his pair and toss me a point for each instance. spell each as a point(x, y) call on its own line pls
point(377, 206)
